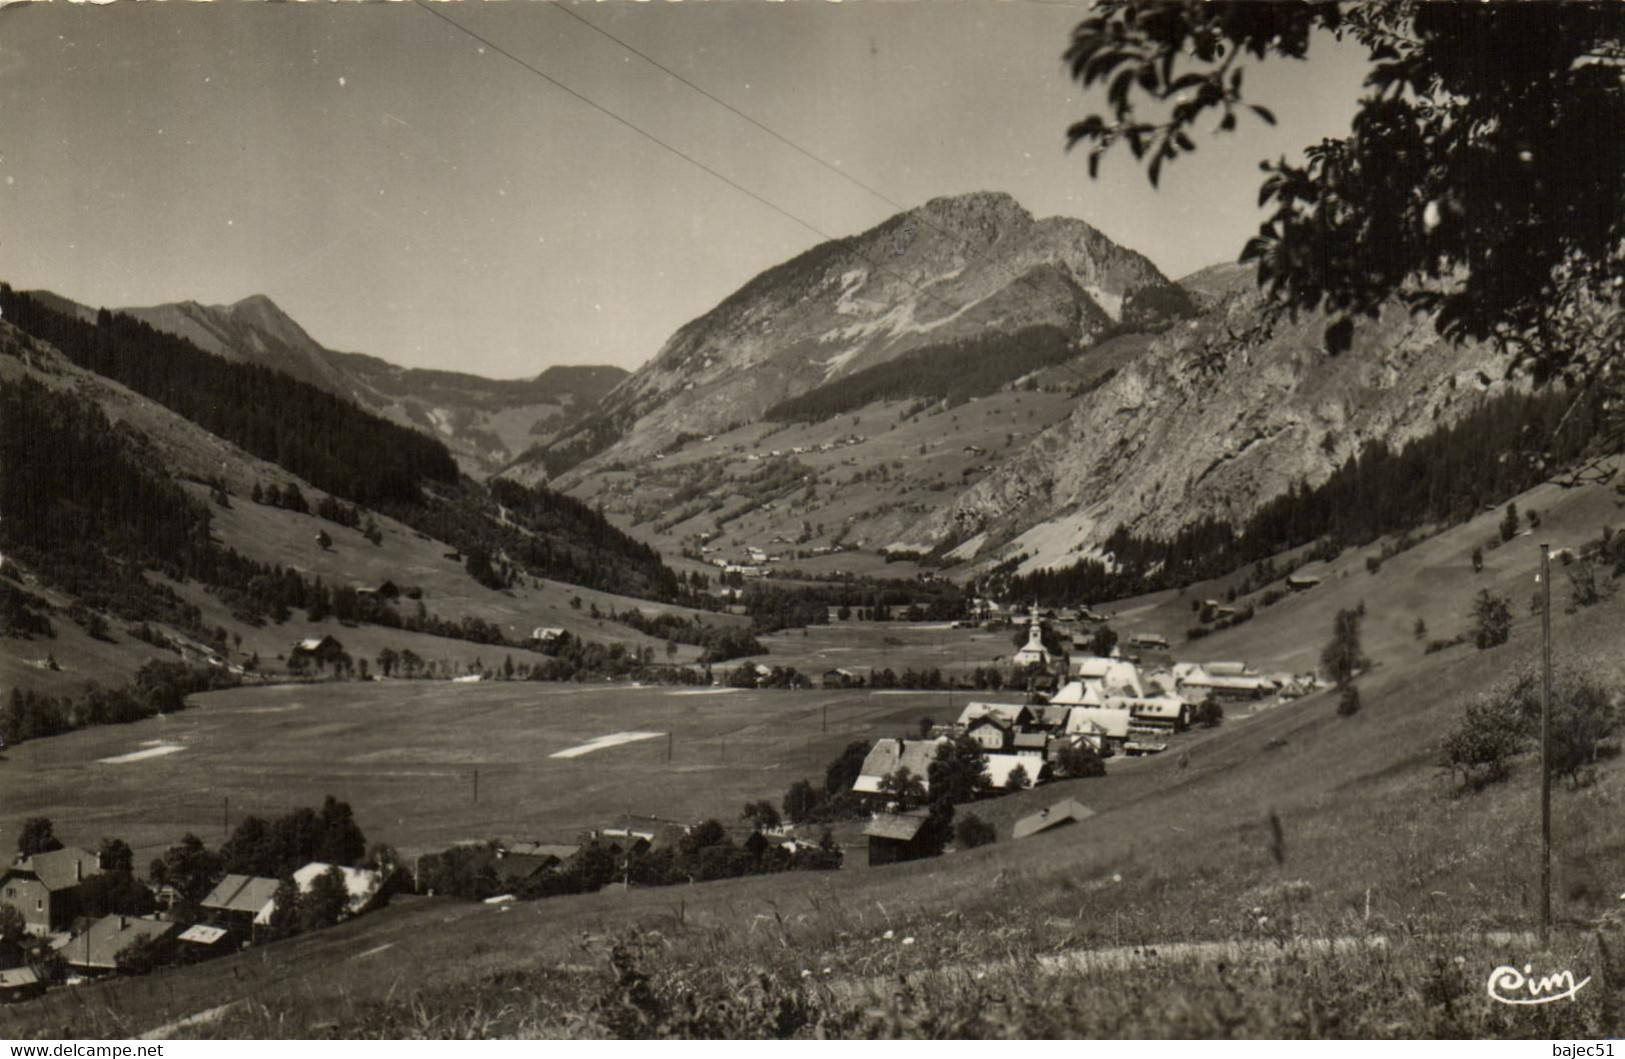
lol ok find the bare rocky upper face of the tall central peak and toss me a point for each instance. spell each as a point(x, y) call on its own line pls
point(951, 269)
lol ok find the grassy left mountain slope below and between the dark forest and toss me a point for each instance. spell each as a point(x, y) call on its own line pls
point(181, 457)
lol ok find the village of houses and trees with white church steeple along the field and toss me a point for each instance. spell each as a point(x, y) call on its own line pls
point(72, 915)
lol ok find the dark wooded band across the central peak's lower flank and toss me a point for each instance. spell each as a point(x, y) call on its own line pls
point(945, 371)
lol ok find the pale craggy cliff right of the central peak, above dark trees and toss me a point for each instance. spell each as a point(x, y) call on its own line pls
point(1223, 413)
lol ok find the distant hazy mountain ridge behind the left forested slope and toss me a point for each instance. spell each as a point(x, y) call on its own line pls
point(483, 421)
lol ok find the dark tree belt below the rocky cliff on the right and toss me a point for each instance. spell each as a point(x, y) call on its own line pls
point(1507, 444)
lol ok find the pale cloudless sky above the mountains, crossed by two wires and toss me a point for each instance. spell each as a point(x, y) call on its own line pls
point(407, 191)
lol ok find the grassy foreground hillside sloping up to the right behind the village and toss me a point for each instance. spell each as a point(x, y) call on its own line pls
point(1369, 842)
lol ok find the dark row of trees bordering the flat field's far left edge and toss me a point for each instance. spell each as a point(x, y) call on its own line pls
point(158, 688)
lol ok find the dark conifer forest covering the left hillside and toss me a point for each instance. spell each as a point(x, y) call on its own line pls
point(316, 436)
